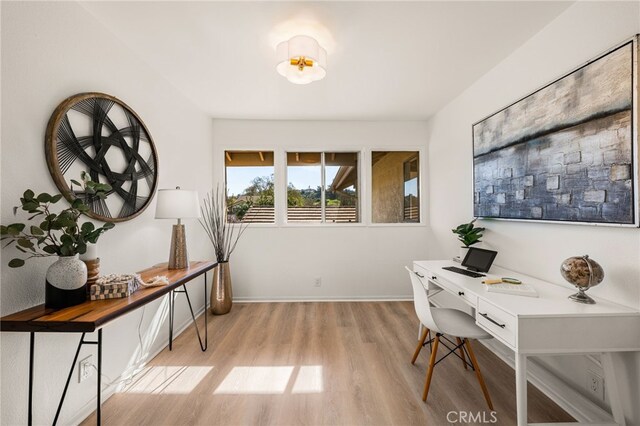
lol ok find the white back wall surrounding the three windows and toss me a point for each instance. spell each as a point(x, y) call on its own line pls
point(355, 261)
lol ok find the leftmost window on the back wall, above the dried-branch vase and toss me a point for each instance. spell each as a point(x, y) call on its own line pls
point(249, 184)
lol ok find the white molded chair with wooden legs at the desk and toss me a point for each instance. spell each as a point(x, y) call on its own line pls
point(445, 321)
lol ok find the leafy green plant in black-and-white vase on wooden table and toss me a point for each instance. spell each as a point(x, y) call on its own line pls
point(57, 234)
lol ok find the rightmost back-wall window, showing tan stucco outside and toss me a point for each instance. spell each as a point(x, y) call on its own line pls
point(395, 189)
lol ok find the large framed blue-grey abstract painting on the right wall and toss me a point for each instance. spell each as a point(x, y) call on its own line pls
point(566, 152)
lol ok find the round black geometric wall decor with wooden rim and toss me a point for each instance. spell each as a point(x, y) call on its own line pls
point(101, 135)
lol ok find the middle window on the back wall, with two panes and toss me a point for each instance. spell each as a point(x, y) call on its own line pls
point(322, 187)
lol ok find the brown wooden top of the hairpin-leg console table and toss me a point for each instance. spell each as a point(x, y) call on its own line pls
point(94, 314)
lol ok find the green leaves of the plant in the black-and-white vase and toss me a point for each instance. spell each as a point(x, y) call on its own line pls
point(57, 234)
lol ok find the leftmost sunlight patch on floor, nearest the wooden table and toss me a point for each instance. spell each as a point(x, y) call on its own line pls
point(163, 379)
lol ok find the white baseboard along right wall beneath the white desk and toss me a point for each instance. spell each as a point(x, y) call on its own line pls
point(556, 389)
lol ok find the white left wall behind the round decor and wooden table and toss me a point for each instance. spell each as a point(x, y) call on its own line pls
point(51, 51)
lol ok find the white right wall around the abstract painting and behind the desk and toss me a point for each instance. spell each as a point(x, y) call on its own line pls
point(582, 32)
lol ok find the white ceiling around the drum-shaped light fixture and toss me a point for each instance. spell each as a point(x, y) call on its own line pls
point(386, 60)
